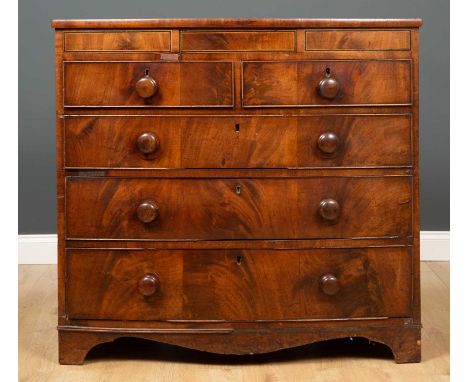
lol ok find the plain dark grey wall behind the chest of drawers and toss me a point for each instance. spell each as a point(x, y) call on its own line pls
point(36, 84)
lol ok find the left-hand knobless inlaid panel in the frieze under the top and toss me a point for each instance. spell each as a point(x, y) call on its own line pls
point(118, 41)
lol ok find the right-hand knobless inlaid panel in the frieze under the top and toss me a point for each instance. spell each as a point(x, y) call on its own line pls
point(358, 40)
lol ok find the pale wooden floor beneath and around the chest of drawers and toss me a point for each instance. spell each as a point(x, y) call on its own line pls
point(138, 360)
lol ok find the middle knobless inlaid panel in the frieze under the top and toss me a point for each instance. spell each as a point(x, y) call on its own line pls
point(237, 41)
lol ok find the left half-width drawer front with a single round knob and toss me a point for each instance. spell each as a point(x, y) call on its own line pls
point(148, 84)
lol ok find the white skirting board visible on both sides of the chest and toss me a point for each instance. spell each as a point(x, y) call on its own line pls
point(42, 249)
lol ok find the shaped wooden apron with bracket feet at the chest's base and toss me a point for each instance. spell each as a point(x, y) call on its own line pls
point(405, 342)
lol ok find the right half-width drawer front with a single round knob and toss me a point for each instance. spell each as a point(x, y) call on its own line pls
point(326, 83)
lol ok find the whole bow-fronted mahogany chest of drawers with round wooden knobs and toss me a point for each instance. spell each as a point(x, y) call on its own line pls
point(238, 186)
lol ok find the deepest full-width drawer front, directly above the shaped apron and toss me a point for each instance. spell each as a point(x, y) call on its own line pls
point(238, 285)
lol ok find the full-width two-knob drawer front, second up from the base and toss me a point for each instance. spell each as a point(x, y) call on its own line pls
point(217, 209)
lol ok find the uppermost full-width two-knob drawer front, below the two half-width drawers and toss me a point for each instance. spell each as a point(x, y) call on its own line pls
point(238, 142)
